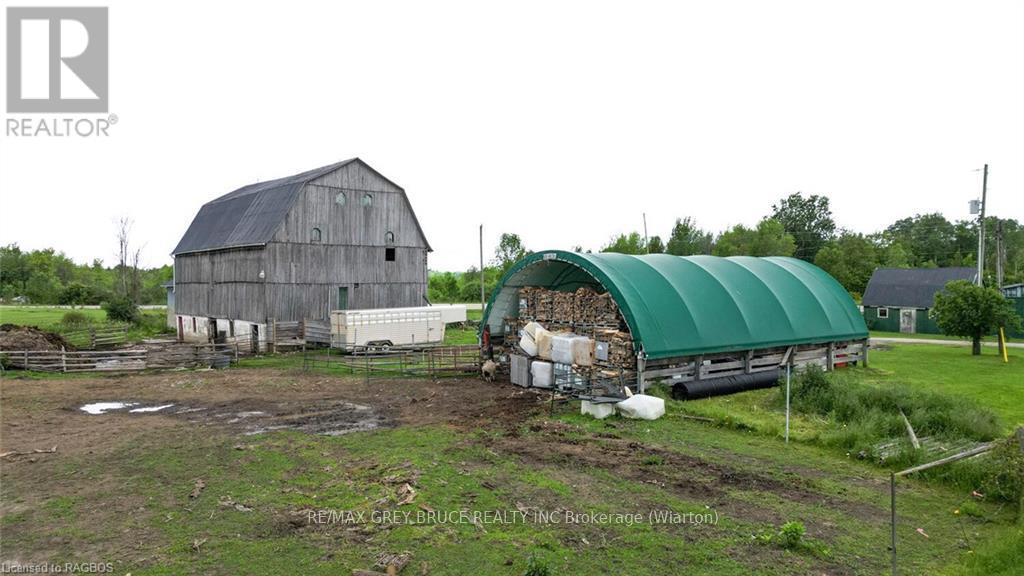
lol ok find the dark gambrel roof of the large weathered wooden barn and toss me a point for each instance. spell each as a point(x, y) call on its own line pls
point(251, 216)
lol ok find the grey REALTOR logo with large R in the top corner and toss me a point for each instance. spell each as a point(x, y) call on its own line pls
point(59, 63)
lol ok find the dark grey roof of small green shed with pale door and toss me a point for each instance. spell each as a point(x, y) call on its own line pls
point(912, 287)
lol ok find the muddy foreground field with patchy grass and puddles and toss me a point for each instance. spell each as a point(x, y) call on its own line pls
point(223, 477)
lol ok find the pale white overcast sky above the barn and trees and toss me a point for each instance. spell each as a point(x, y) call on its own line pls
point(561, 121)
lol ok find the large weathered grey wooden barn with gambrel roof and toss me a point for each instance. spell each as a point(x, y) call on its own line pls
point(338, 237)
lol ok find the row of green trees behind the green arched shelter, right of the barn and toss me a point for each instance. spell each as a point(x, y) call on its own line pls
point(801, 227)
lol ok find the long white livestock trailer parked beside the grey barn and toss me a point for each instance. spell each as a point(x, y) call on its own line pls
point(387, 327)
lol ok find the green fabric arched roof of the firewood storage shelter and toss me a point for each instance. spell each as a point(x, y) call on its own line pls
point(685, 306)
